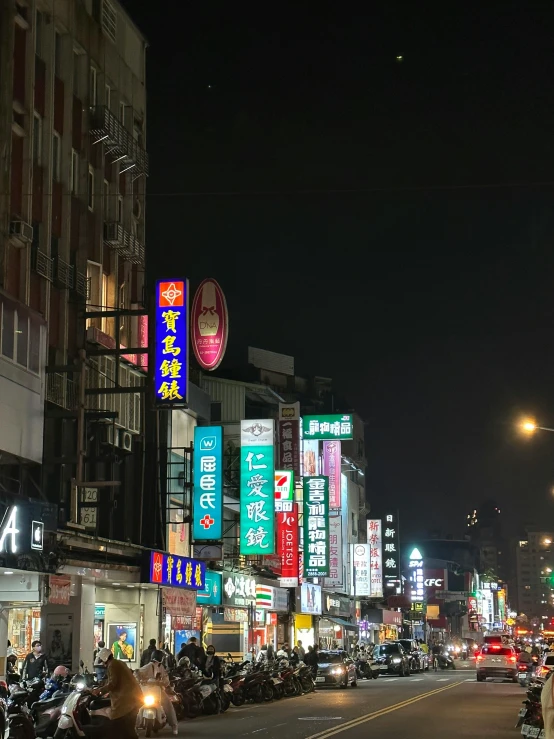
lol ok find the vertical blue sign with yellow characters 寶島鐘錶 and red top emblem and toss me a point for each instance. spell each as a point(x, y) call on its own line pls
point(171, 342)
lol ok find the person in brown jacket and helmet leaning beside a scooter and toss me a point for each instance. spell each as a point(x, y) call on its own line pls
point(125, 694)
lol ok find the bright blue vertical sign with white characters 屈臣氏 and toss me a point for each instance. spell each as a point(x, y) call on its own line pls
point(207, 507)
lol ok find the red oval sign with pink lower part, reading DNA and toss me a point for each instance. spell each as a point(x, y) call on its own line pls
point(209, 324)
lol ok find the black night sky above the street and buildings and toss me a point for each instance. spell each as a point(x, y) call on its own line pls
point(389, 224)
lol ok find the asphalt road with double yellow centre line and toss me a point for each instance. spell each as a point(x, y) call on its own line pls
point(420, 706)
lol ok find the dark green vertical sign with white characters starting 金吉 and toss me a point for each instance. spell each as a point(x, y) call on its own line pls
point(316, 526)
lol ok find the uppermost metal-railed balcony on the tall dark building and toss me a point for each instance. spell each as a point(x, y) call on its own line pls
point(119, 142)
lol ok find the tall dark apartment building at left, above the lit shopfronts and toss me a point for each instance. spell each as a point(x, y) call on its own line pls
point(74, 167)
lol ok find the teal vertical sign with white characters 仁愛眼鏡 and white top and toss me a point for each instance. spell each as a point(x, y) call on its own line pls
point(257, 487)
